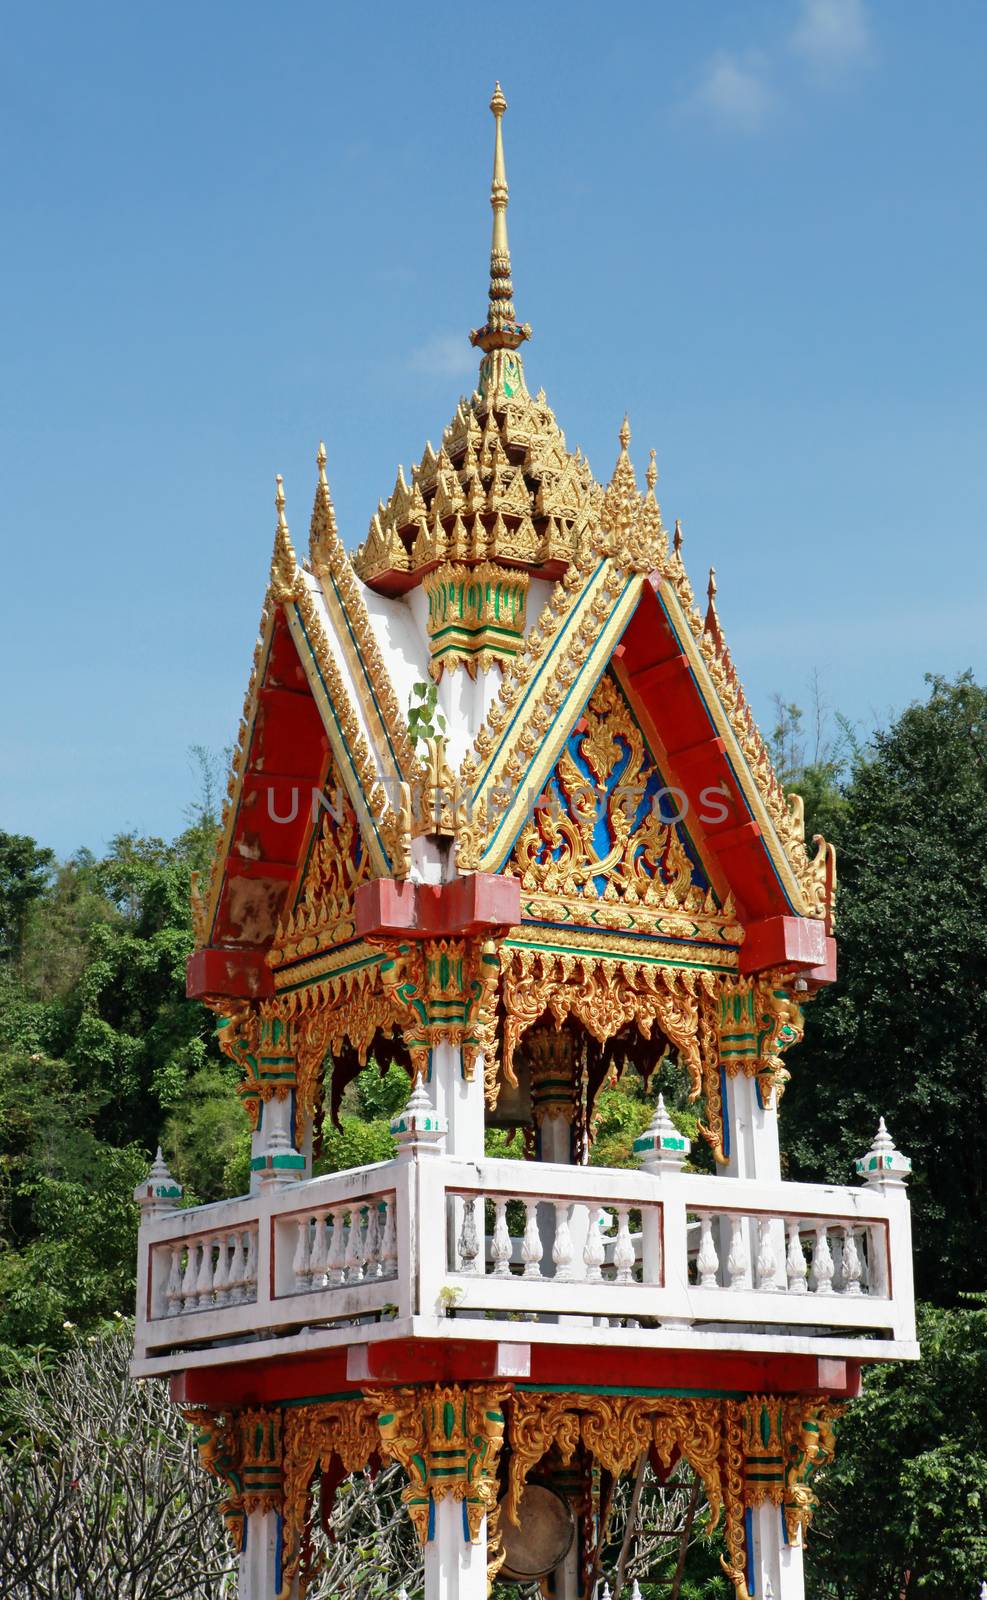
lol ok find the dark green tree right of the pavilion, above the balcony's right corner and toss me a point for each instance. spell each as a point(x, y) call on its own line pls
point(905, 1030)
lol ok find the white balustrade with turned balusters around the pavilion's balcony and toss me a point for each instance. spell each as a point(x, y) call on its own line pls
point(414, 1244)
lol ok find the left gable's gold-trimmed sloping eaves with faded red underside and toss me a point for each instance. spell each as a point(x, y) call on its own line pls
point(319, 713)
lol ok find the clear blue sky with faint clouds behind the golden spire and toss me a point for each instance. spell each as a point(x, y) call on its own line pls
point(234, 231)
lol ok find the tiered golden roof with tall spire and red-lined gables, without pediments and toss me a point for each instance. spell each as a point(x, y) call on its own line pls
point(501, 516)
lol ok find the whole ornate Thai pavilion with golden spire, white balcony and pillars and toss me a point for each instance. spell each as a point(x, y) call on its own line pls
point(500, 812)
